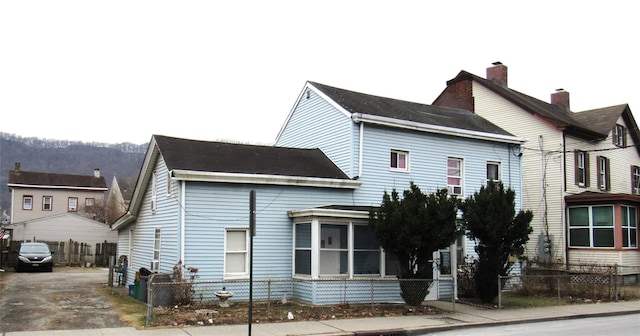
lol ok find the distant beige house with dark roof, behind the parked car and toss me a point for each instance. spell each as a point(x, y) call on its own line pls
point(36, 195)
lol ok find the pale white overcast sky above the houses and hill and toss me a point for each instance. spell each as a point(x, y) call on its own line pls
point(121, 71)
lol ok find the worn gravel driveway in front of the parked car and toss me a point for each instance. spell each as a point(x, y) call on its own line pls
point(63, 300)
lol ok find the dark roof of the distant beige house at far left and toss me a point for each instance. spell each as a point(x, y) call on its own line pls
point(57, 180)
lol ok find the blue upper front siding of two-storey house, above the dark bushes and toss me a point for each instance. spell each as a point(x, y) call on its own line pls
point(428, 155)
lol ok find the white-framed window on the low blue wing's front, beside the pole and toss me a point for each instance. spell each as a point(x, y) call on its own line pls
point(236, 253)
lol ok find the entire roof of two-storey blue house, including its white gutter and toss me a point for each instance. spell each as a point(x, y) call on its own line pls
point(438, 118)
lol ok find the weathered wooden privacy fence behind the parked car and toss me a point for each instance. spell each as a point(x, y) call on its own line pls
point(71, 253)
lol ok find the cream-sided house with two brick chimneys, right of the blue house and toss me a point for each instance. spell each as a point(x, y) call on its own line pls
point(581, 170)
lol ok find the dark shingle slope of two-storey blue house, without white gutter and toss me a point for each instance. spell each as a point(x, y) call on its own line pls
point(355, 102)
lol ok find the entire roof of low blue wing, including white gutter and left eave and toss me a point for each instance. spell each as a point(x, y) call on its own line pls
point(209, 161)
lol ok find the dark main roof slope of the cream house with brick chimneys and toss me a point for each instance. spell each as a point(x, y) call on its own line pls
point(555, 115)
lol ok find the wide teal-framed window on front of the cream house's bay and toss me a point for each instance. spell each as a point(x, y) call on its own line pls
point(591, 226)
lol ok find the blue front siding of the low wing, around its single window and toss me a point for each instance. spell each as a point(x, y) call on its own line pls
point(212, 207)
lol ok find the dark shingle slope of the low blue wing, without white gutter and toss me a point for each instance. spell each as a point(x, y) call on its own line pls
point(207, 156)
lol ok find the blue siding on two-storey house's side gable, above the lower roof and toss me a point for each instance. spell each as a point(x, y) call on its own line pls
point(317, 124)
